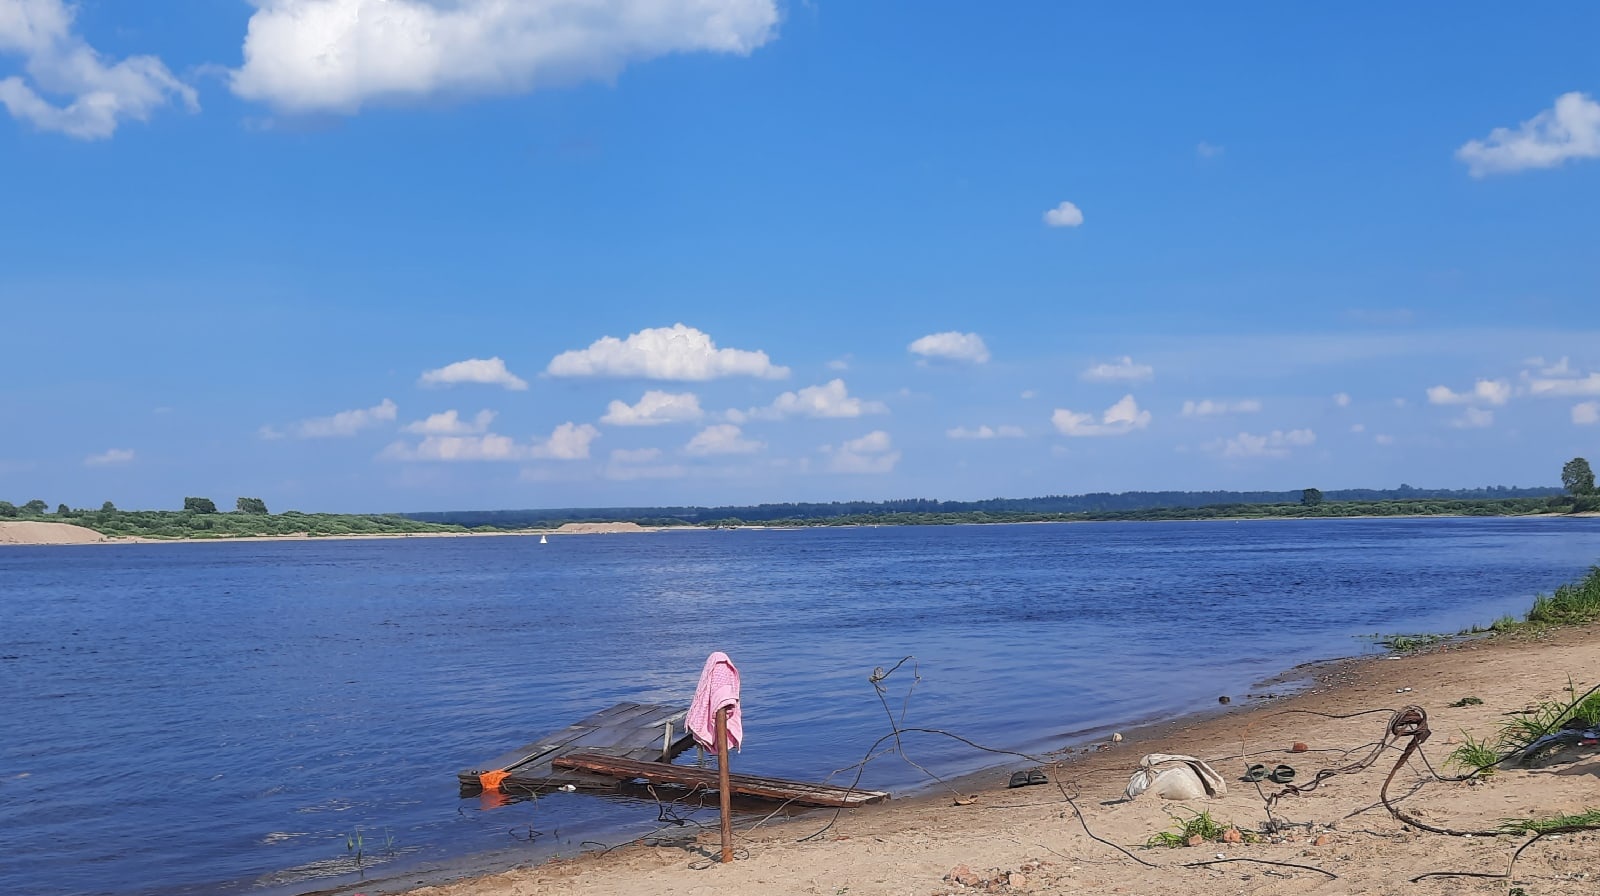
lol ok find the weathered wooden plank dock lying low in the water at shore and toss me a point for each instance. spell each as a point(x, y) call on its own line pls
point(636, 743)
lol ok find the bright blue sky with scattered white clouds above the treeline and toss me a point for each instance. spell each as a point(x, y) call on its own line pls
point(396, 255)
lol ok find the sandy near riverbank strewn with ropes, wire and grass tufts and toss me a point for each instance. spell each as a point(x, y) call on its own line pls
point(1028, 839)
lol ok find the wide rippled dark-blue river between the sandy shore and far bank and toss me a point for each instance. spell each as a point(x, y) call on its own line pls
point(190, 719)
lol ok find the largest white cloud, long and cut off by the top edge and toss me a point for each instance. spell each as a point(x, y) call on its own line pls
point(338, 55)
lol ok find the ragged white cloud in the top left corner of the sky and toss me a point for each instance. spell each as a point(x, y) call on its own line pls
point(98, 94)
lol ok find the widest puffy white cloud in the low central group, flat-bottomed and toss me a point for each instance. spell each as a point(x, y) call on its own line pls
point(665, 353)
